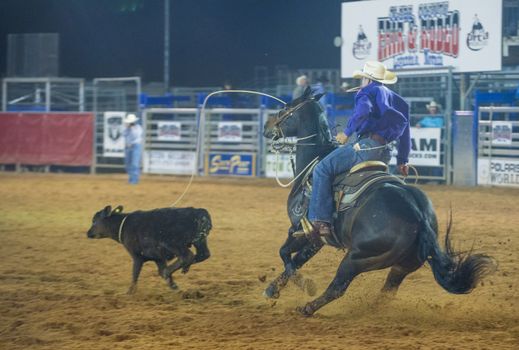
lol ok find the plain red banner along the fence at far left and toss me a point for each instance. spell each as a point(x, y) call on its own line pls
point(46, 138)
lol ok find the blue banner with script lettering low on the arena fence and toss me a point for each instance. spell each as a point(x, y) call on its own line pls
point(234, 164)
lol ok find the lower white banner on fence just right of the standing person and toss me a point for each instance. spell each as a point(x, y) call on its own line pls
point(169, 162)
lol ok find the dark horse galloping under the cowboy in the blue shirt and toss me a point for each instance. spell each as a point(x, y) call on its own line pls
point(394, 225)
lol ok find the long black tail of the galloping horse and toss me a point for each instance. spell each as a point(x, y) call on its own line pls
point(456, 272)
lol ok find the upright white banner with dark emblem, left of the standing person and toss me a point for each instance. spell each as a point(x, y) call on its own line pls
point(113, 139)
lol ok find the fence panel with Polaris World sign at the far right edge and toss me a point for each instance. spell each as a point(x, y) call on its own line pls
point(498, 146)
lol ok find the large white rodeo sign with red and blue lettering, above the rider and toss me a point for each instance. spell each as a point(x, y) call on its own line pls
point(407, 34)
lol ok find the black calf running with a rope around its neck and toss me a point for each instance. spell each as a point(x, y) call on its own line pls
point(158, 235)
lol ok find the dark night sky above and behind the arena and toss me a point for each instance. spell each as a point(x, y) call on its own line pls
point(211, 40)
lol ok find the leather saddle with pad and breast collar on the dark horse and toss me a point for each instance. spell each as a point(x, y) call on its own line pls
point(348, 189)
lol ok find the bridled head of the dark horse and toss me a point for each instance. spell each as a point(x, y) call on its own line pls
point(301, 117)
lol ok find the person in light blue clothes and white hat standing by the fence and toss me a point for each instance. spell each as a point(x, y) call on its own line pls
point(133, 148)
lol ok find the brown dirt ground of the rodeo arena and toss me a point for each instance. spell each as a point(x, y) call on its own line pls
point(59, 290)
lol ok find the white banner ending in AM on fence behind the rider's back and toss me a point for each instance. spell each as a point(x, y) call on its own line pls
point(425, 147)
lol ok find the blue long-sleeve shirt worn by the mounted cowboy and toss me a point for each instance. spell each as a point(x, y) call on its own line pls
point(381, 111)
